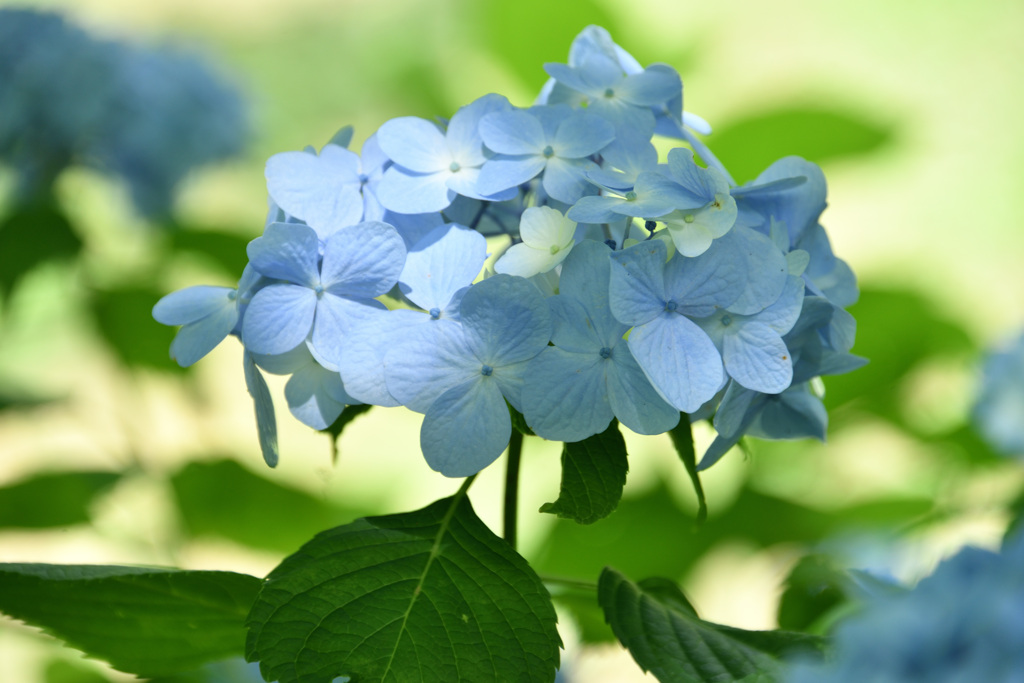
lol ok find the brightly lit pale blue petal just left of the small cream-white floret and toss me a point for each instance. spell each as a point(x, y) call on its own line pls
point(446, 261)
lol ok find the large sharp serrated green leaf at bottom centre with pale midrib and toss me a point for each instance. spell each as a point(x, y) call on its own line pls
point(432, 595)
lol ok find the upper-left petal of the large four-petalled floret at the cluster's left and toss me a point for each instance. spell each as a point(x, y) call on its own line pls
point(287, 251)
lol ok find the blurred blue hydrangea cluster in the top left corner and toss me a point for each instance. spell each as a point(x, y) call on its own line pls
point(147, 116)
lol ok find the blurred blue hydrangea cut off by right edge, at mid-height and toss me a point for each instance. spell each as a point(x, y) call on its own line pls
point(999, 411)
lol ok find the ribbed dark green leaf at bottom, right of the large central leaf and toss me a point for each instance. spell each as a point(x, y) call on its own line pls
point(667, 638)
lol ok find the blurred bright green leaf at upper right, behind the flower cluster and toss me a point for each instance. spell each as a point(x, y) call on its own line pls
point(751, 145)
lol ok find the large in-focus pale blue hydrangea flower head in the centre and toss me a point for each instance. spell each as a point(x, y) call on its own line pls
point(629, 288)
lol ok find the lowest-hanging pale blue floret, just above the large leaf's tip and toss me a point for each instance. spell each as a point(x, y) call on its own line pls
point(461, 375)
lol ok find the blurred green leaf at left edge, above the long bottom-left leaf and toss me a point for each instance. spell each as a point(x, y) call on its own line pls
point(58, 499)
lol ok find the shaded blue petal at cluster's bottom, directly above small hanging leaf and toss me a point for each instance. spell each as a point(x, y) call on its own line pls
point(565, 397)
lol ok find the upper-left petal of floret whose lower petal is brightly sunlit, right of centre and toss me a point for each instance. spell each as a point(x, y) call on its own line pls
point(637, 284)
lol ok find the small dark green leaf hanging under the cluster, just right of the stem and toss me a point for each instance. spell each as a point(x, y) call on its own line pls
point(593, 477)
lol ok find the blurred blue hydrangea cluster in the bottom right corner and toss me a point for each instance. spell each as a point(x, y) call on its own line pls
point(964, 623)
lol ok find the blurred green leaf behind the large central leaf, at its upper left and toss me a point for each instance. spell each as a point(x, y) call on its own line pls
point(259, 514)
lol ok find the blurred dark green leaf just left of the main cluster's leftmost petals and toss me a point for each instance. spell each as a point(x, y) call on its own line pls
point(125, 321)
